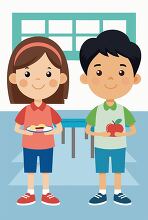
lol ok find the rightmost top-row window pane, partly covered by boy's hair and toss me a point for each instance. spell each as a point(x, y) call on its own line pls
point(115, 24)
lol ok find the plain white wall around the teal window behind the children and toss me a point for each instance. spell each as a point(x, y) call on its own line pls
point(80, 96)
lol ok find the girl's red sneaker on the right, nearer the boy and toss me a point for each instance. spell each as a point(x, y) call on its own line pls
point(49, 199)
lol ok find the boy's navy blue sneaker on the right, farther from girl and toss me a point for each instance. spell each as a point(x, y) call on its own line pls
point(122, 199)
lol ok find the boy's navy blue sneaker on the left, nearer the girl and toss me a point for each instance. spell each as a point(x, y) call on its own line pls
point(98, 199)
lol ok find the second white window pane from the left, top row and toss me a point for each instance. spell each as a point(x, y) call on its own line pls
point(60, 26)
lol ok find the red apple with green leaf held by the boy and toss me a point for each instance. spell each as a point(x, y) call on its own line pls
point(114, 127)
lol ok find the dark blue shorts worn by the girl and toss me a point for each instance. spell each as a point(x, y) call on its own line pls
point(45, 158)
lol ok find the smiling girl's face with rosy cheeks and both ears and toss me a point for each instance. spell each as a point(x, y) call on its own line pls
point(39, 80)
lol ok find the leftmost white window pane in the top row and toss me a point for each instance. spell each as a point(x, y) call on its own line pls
point(33, 26)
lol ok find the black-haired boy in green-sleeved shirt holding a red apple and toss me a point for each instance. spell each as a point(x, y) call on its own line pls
point(110, 63)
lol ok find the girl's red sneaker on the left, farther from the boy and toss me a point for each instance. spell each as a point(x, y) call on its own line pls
point(26, 199)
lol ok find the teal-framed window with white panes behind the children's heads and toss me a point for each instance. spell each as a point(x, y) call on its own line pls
point(70, 30)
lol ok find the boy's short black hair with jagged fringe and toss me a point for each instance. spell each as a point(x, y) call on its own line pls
point(112, 42)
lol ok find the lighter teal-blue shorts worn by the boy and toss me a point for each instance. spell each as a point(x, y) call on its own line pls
point(117, 158)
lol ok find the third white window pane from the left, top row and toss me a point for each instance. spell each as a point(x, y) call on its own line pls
point(87, 26)
